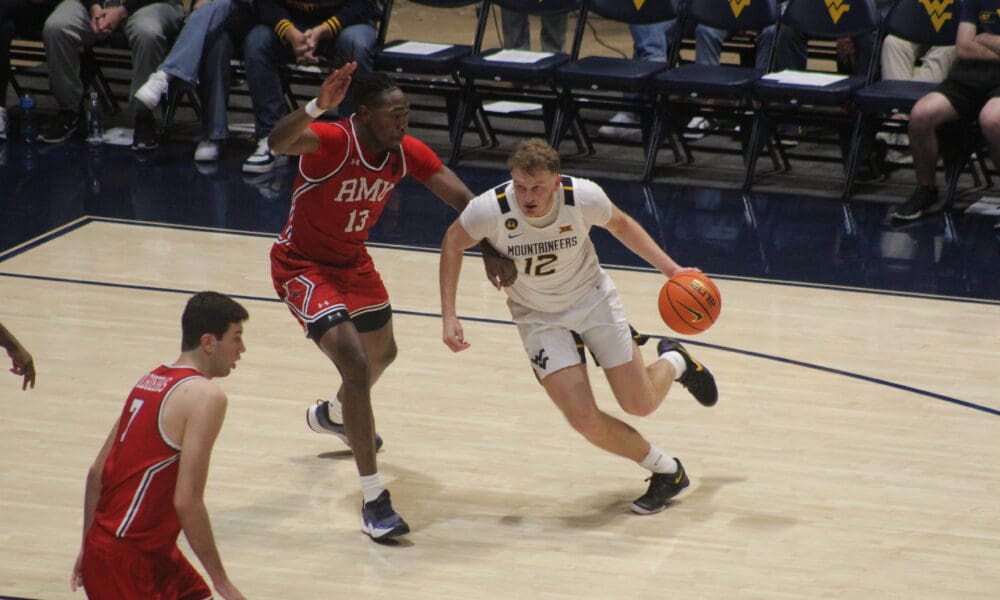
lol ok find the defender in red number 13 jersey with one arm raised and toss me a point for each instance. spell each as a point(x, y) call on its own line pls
point(321, 268)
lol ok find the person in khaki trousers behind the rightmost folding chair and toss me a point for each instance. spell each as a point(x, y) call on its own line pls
point(904, 60)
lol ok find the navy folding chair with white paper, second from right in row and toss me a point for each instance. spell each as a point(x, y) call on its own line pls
point(807, 102)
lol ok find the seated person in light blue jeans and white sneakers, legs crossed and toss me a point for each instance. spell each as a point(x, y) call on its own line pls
point(201, 54)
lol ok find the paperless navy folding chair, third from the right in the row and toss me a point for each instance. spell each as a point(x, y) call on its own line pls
point(708, 90)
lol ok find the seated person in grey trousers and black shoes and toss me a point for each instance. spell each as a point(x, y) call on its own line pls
point(149, 26)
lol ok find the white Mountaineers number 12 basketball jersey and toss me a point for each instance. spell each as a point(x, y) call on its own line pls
point(557, 265)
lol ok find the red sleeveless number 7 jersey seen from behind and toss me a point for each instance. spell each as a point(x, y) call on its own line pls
point(137, 484)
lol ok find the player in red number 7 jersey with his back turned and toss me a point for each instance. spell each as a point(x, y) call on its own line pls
point(148, 481)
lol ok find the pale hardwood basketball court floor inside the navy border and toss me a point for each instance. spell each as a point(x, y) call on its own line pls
point(853, 452)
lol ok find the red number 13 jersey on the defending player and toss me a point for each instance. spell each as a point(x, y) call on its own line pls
point(341, 189)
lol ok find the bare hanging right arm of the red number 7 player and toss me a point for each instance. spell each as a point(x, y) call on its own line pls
point(204, 405)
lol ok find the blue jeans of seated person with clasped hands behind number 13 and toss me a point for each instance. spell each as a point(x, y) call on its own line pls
point(265, 54)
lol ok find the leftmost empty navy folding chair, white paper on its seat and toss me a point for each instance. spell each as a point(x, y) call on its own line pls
point(427, 68)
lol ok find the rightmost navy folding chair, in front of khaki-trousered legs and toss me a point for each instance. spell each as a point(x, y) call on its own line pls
point(879, 102)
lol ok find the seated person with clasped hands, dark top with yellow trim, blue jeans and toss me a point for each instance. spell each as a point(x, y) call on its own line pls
point(304, 32)
